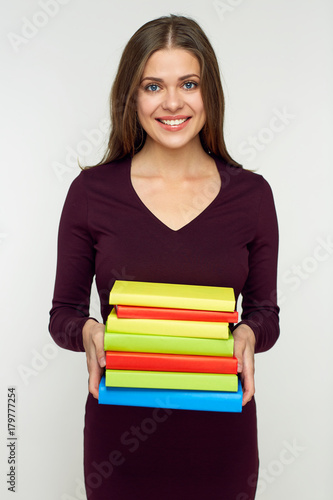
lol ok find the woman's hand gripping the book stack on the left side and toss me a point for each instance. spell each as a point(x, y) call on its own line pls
point(93, 342)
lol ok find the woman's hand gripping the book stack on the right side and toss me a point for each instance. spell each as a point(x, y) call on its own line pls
point(244, 344)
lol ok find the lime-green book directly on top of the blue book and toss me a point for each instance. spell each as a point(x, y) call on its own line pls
point(171, 380)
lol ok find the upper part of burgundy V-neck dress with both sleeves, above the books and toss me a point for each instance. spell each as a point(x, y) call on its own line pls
point(104, 219)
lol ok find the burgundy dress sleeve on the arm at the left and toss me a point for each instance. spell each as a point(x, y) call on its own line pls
point(75, 270)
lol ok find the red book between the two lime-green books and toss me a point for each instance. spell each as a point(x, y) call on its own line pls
point(120, 360)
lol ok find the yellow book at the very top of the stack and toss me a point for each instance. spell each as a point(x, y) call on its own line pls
point(140, 293)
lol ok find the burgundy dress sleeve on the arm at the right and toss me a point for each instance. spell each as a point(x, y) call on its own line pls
point(259, 304)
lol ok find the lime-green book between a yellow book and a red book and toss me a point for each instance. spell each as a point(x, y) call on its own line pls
point(164, 344)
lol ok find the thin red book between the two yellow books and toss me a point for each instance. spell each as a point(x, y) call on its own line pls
point(175, 314)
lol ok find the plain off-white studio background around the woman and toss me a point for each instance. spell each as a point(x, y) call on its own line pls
point(275, 58)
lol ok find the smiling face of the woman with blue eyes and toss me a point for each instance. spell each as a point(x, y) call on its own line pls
point(169, 105)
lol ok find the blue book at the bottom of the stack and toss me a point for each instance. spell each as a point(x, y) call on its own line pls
point(172, 398)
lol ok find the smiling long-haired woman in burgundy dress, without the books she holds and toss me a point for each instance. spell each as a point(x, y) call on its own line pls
point(168, 204)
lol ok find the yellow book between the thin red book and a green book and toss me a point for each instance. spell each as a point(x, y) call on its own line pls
point(179, 328)
